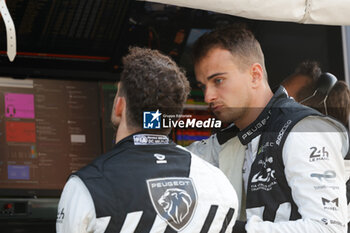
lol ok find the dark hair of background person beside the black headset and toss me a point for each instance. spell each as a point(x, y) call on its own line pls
point(309, 69)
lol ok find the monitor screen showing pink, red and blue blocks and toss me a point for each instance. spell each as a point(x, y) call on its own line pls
point(48, 129)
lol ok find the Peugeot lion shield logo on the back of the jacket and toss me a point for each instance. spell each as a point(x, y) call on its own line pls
point(174, 200)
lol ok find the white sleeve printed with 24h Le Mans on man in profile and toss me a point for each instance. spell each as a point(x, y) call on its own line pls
point(314, 168)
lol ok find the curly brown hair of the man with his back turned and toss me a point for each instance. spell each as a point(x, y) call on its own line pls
point(151, 81)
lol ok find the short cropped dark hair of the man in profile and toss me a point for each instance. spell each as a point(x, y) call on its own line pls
point(234, 38)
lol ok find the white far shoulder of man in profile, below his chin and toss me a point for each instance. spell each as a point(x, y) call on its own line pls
point(207, 149)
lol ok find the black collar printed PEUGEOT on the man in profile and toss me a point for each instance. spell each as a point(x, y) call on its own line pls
point(258, 126)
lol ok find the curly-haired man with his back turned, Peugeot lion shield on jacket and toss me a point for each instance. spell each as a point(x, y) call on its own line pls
point(147, 183)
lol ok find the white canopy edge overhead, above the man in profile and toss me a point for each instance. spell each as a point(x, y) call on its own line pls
point(330, 12)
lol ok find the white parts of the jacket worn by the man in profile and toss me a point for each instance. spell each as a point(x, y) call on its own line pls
point(318, 189)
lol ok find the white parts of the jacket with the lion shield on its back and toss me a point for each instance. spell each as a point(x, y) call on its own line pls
point(76, 210)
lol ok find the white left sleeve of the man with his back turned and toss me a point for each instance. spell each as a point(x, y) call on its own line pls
point(76, 210)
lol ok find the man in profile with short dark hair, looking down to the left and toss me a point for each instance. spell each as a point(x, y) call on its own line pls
point(293, 169)
